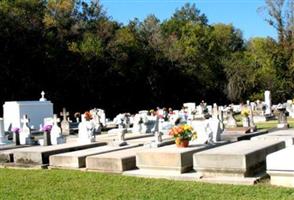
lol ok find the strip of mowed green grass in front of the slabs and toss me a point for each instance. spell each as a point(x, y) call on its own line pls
point(67, 184)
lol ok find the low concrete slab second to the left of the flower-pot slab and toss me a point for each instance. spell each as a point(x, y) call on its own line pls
point(77, 159)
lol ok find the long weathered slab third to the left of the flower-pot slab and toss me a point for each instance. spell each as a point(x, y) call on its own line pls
point(39, 155)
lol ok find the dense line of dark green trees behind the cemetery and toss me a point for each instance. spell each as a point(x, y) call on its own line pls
point(83, 58)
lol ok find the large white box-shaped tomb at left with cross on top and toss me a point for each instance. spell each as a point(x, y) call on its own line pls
point(36, 110)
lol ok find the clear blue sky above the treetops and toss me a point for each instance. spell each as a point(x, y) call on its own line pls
point(243, 14)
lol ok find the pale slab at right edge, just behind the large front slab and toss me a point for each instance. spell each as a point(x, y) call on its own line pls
point(280, 135)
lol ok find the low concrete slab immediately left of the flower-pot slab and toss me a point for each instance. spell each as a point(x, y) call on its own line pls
point(115, 162)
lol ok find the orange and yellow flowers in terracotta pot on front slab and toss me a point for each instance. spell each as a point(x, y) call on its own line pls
point(183, 134)
